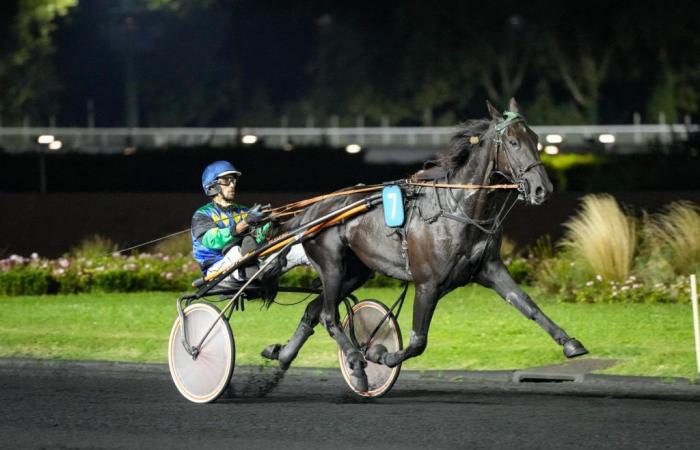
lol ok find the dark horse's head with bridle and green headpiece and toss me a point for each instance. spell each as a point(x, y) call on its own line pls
point(516, 155)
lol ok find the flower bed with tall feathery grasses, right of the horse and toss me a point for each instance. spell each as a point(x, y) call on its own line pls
point(611, 256)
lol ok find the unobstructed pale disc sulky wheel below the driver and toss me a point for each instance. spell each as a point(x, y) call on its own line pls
point(204, 378)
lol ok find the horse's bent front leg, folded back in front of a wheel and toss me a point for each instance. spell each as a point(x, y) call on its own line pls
point(423, 307)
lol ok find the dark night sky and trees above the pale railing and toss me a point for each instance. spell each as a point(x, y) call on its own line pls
point(250, 62)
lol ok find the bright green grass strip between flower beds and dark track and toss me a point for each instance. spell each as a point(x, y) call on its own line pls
point(472, 329)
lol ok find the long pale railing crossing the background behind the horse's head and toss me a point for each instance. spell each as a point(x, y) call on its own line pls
point(627, 138)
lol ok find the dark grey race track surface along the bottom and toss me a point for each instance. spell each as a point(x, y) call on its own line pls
point(73, 406)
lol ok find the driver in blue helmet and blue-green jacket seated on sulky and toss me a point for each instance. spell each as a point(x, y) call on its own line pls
point(218, 228)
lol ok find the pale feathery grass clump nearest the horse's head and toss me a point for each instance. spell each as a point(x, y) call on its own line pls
point(602, 236)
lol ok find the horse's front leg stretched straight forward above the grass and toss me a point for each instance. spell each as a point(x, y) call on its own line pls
point(495, 275)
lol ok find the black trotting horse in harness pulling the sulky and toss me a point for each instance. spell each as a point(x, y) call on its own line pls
point(451, 237)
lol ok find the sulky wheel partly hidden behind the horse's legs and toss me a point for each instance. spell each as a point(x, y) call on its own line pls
point(367, 314)
